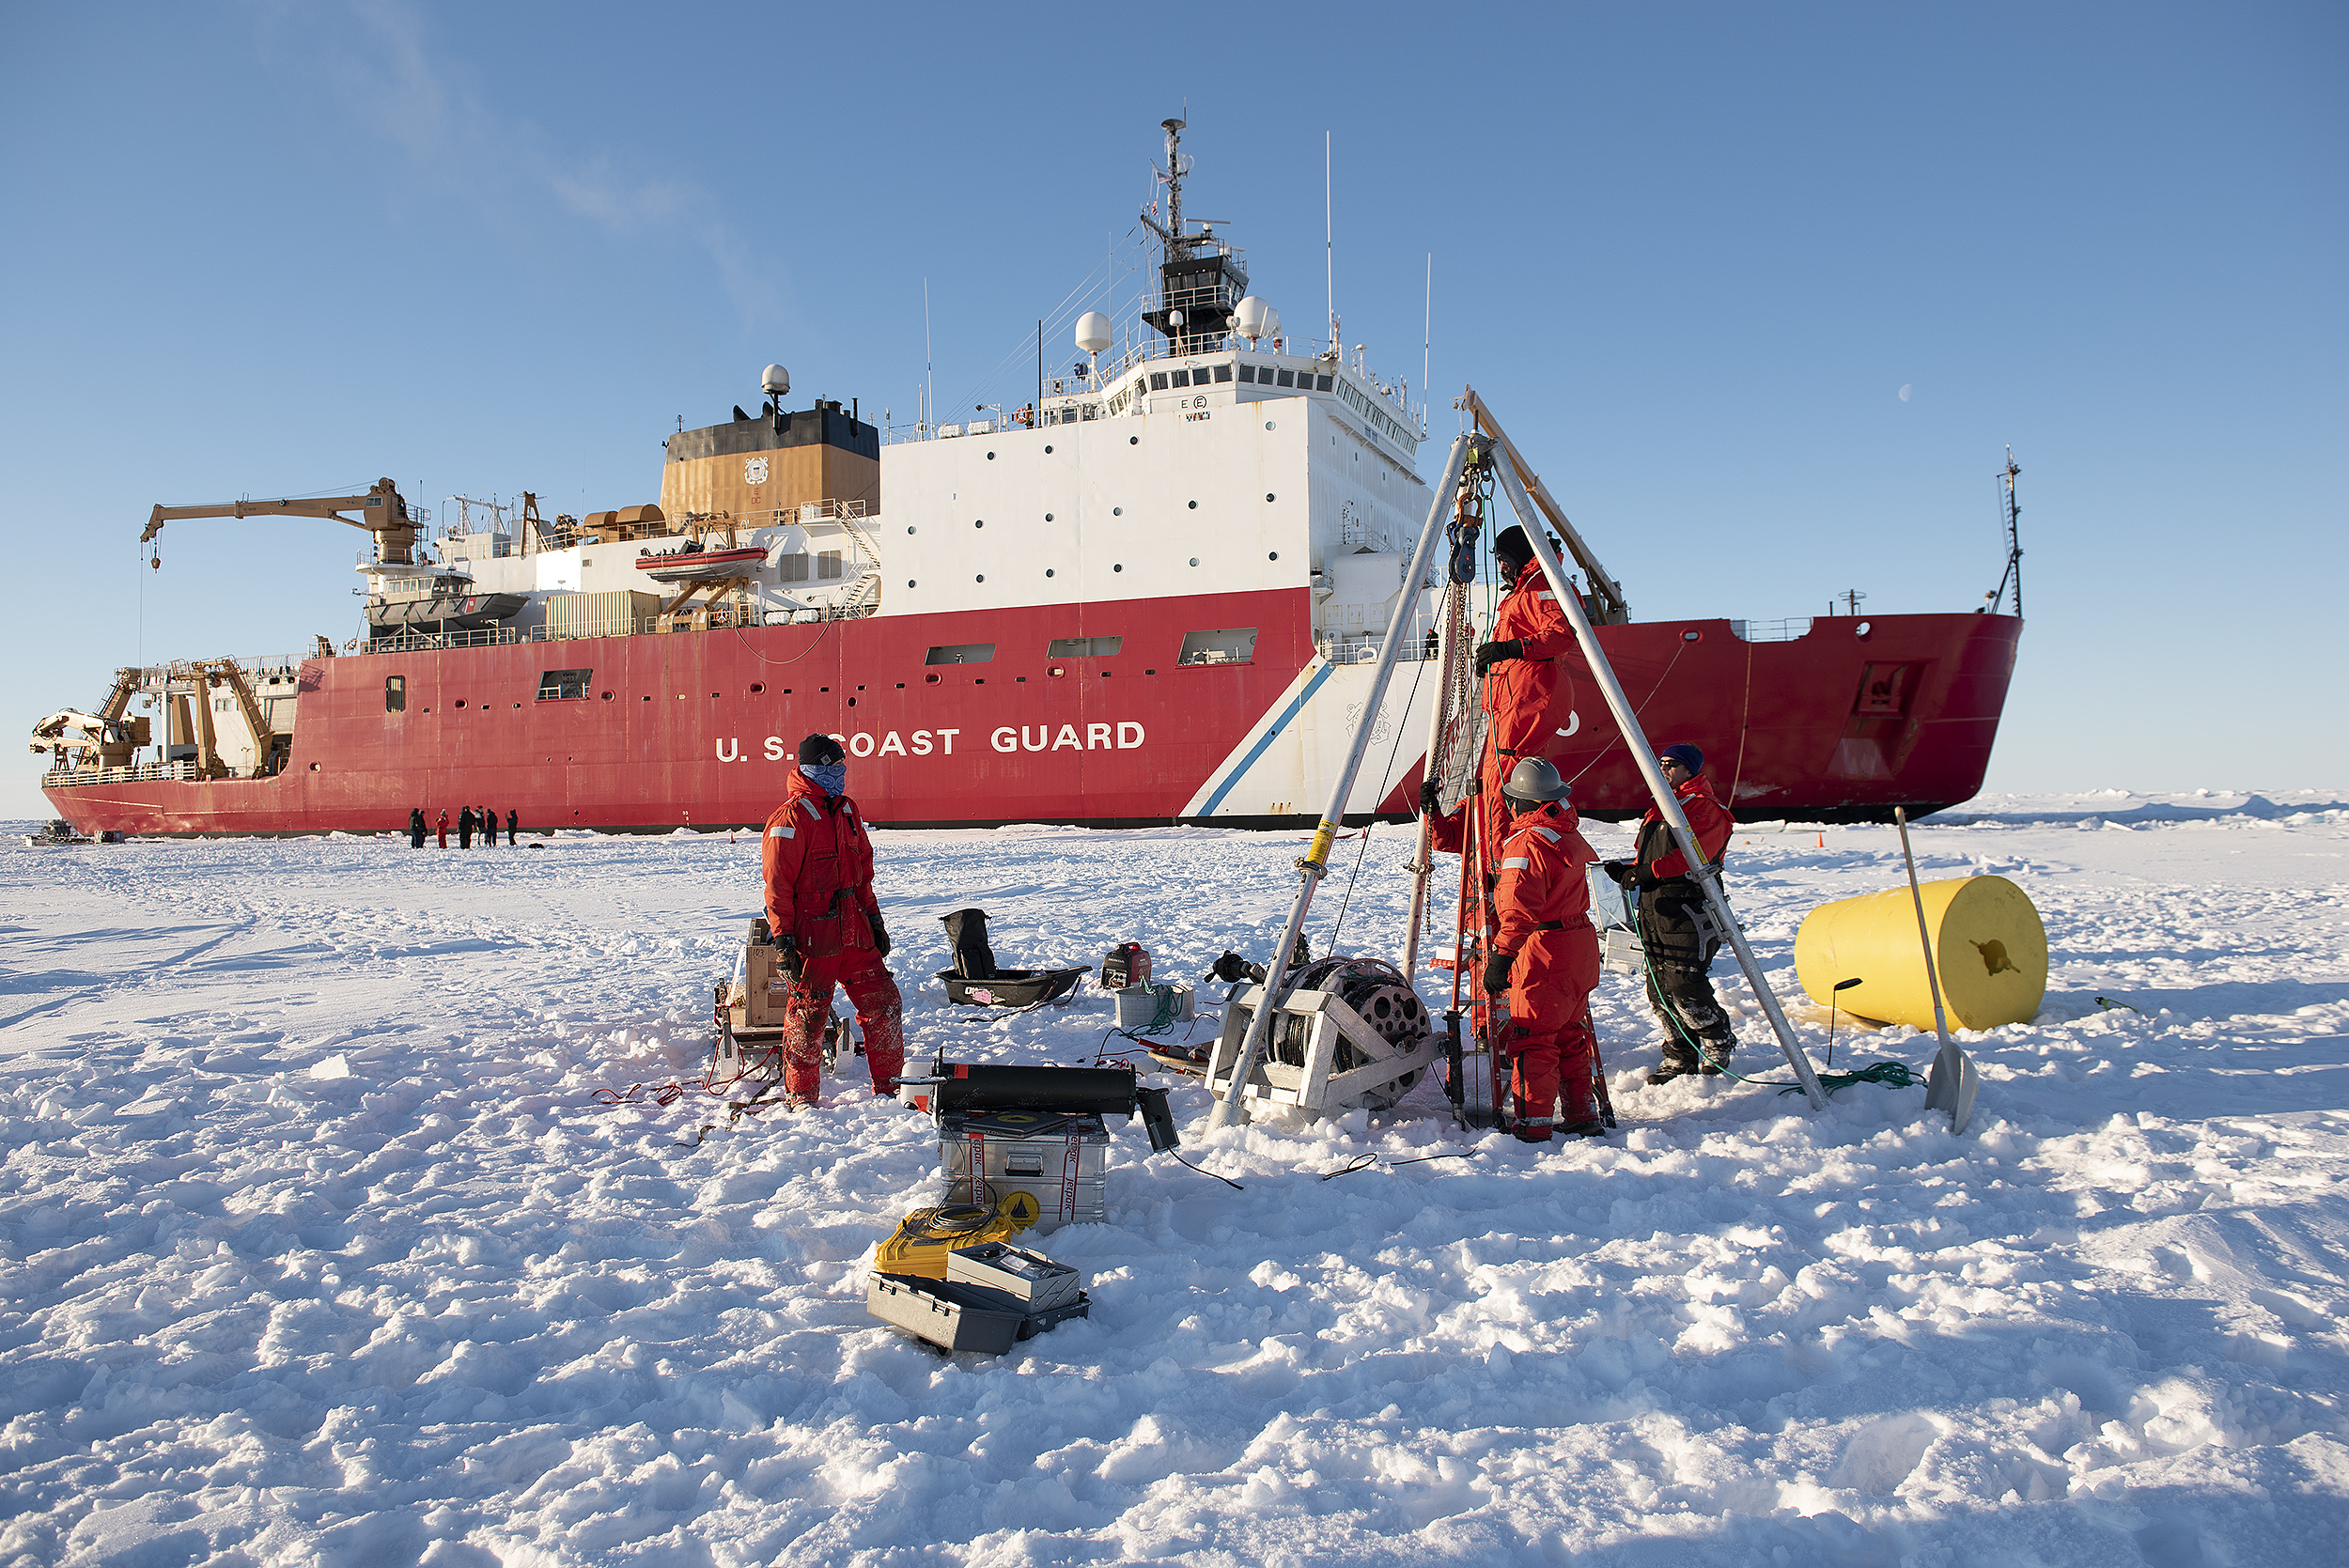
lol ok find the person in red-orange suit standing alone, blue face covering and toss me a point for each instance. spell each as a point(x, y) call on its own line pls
point(828, 924)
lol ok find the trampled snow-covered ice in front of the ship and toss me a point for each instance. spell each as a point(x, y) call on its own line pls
point(321, 1250)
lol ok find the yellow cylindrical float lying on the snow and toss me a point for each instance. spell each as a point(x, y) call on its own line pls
point(1988, 947)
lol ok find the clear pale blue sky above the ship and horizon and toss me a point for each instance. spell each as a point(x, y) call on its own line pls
point(1692, 255)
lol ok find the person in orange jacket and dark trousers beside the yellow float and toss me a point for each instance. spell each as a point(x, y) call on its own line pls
point(1676, 928)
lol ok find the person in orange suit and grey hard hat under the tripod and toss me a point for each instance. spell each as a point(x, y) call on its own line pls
point(1547, 957)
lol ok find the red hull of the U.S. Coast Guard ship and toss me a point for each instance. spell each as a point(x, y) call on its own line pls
point(696, 729)
